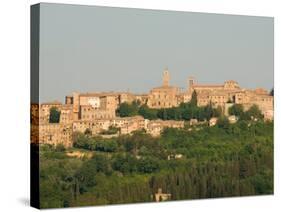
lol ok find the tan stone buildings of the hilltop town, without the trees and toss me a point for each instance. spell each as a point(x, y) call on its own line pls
point(96, 112)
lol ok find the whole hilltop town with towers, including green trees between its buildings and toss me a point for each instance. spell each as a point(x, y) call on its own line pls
point(100, 111)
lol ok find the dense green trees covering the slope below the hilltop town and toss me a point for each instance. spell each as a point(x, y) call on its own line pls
point(221, 161)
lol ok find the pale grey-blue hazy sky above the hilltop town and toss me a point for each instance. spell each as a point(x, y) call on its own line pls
point(88, 49)
